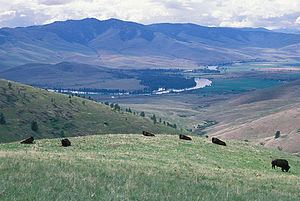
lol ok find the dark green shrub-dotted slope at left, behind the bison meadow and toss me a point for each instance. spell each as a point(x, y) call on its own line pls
point(59, 115)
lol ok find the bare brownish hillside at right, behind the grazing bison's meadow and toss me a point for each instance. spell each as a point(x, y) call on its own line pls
point(258, 115)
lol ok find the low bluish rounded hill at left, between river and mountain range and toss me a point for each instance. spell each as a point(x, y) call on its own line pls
point(70, 75)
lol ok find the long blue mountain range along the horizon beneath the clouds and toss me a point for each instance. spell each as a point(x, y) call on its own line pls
point(116, 43)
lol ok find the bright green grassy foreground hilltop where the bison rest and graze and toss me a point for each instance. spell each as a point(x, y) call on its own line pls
point(133, 167)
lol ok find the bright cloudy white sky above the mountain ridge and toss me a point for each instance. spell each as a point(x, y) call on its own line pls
point(235, 13)
